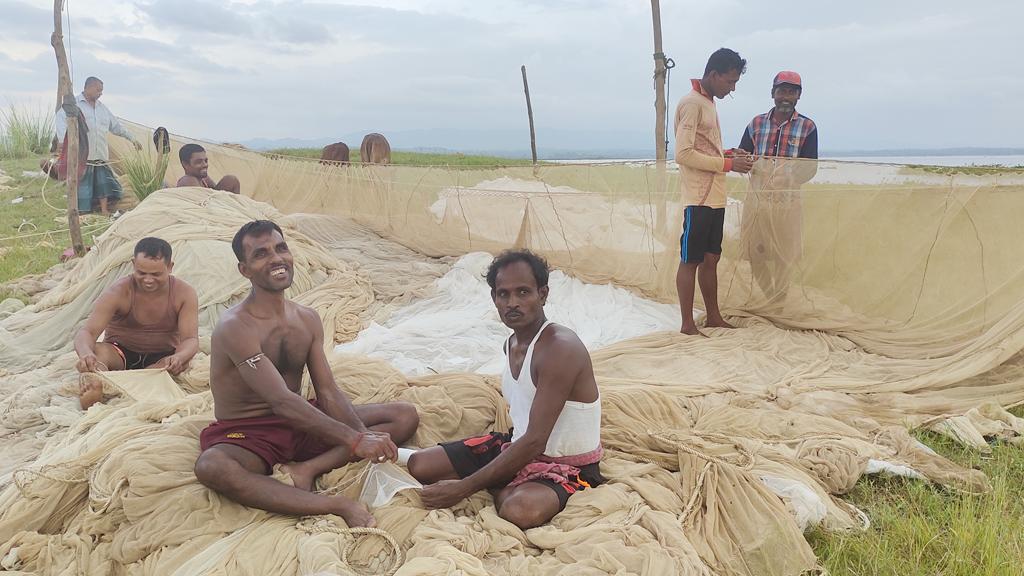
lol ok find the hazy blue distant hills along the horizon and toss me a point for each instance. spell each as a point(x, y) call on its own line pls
point(564, 145)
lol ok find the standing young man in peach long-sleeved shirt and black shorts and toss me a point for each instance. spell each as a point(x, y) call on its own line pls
point(703, 166)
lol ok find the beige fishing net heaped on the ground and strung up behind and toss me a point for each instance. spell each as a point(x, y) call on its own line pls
point(720, 451)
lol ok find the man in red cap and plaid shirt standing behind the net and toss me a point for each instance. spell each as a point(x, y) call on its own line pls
point(773, 218)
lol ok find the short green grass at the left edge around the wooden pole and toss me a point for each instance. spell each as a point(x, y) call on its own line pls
point(32, 234)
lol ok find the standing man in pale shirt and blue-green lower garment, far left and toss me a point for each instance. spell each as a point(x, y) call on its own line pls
point(98, 183)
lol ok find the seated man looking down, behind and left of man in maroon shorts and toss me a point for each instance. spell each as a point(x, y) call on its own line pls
point(151, 320)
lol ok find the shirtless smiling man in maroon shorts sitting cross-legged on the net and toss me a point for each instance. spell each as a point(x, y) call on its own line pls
point(261, 350)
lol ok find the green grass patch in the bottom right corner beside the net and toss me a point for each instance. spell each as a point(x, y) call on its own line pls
point(922, 529)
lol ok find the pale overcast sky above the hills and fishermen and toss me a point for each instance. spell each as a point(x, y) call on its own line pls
point(877, 75)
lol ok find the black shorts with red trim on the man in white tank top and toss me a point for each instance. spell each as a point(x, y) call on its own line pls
point(472, 455)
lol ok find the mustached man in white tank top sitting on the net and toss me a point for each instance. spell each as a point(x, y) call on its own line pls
point(554, 448)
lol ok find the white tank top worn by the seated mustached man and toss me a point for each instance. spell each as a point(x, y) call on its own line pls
point(578, 430)
